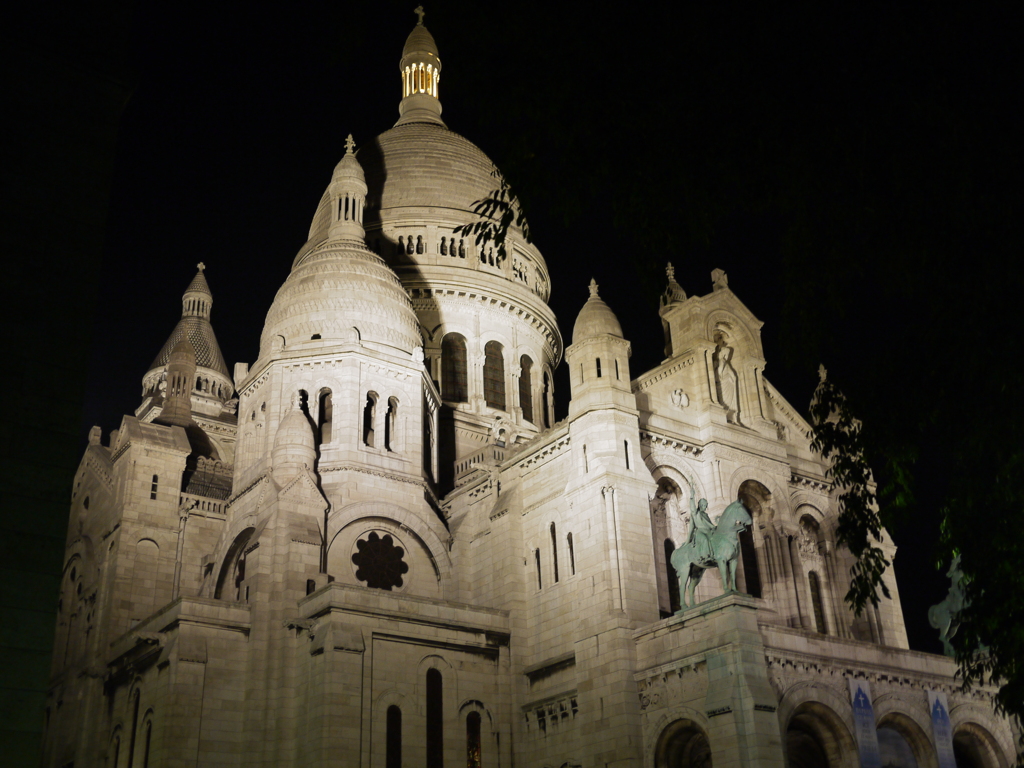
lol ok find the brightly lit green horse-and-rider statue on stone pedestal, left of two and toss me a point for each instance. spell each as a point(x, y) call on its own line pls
point(691, 561)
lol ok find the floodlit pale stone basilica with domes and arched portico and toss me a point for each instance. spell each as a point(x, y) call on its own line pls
point(375, 546)
